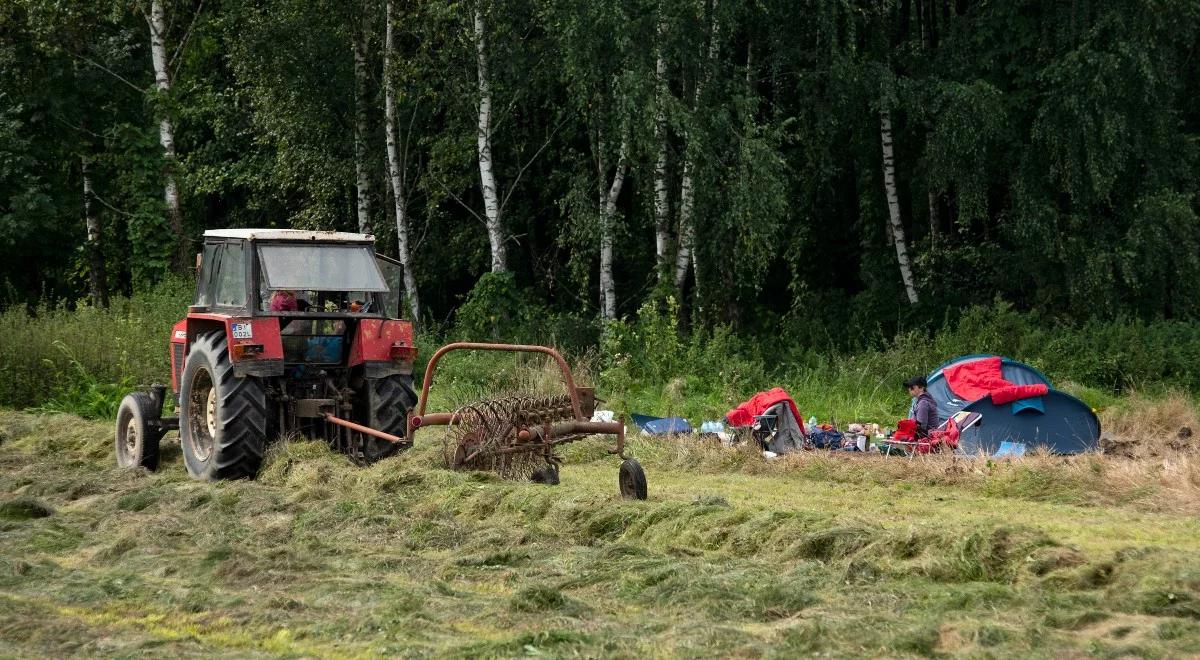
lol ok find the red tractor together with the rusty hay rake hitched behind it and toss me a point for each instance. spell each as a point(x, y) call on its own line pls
point(291, 334)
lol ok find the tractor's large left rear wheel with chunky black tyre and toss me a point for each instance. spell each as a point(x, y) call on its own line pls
point(223, 419)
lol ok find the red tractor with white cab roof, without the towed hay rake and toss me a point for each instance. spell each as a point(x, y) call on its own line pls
point(290, 333)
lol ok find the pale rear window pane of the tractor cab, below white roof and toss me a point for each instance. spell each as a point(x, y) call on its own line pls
point(321, 268)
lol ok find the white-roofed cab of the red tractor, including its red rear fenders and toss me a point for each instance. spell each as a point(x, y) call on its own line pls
point(295, 298)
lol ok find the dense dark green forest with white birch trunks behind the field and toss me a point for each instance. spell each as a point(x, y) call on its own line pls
point(881, 163)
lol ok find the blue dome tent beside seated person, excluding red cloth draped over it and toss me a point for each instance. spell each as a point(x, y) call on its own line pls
point(1057, 422)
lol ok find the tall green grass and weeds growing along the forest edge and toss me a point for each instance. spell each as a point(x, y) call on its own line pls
point(80, 359)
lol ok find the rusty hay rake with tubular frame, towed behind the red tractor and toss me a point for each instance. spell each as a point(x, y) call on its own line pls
point(517, 436)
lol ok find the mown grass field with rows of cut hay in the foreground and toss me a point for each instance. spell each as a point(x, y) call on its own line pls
point(730, 556)
